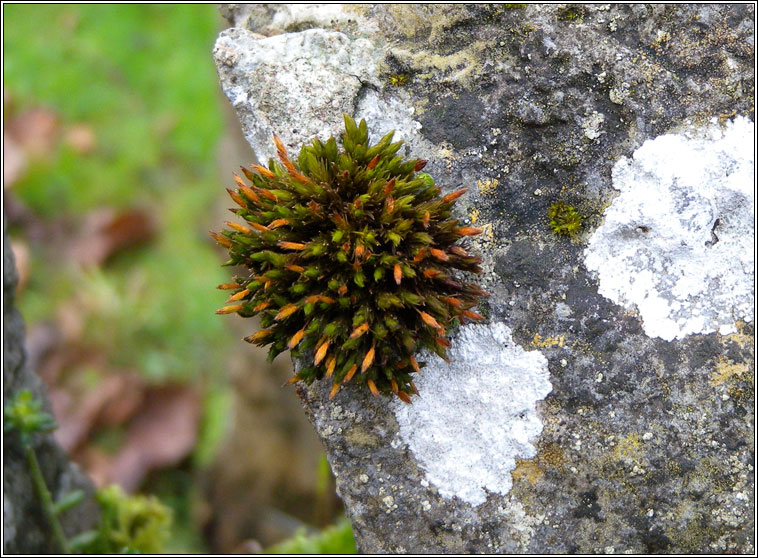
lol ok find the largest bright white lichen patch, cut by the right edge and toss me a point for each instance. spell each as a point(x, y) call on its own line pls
point(678, 243)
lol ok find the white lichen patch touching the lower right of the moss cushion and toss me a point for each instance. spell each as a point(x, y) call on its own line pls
point(477, 413)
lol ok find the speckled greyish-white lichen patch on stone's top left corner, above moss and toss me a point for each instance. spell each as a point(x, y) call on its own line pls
point(295, 84)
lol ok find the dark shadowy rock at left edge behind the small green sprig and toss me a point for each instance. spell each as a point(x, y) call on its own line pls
point(25, 528)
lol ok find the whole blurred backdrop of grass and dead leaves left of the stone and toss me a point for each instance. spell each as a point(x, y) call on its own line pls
point(117, 148)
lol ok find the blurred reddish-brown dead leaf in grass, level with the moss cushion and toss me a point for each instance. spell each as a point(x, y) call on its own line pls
point(107, 232)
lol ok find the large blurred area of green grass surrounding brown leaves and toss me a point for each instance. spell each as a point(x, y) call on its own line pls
point(142, 77)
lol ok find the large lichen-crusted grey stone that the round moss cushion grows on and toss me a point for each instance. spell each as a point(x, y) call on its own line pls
point(607, 405)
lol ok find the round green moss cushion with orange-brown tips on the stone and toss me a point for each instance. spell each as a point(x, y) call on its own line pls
point(351, 255)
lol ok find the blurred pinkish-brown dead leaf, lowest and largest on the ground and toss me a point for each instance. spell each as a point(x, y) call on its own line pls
point(162, 433)
